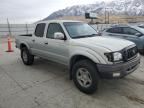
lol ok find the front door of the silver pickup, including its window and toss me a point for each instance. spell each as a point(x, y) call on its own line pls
point(57, 50)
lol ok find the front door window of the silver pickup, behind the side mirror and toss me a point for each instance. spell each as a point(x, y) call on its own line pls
point(53, 28)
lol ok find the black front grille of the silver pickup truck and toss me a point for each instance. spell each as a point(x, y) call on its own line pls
point(130, 53)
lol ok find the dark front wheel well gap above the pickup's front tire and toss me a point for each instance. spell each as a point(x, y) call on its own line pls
point(76, 59)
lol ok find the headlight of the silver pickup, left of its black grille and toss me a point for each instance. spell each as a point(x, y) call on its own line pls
point(113, 57)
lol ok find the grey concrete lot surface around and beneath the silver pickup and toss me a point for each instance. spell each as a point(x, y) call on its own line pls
point(46, 85)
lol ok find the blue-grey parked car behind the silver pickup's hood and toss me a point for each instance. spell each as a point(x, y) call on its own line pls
point(128, 32)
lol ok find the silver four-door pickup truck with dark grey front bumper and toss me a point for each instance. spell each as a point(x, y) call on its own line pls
point(76, 45)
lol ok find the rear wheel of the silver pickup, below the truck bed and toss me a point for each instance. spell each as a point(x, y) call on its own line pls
point(27, 58)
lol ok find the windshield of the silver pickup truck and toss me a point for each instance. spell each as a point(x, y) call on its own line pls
point(79, 30)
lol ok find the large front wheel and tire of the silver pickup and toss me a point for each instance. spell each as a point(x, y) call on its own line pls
point(93, 75)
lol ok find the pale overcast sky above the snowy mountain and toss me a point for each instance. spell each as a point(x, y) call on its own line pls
point(29, 11)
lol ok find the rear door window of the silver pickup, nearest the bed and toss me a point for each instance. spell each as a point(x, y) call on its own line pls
point(39, 32)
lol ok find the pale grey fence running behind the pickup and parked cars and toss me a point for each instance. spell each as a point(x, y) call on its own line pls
point(17, 29)
